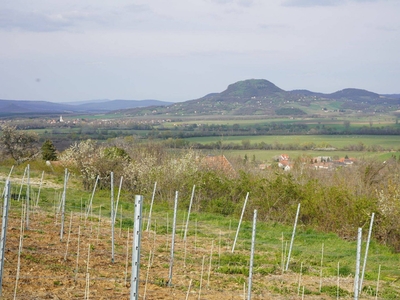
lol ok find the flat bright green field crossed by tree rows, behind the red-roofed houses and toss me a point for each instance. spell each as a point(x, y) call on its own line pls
point(292, 145)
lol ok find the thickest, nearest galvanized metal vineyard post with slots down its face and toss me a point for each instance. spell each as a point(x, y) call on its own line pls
point(137, 229)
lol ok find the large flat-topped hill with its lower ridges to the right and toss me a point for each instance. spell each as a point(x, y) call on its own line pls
point(262, 97)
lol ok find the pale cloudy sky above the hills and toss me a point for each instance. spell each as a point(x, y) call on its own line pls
point(178, 50)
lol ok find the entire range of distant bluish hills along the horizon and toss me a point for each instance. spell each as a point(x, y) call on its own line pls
point(252, 97)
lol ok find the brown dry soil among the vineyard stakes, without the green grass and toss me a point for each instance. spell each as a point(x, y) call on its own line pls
point(80, 266)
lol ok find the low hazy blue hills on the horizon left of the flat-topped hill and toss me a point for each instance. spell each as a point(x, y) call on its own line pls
point(27, 107)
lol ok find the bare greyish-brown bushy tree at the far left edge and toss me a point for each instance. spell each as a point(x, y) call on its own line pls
point(20, 145)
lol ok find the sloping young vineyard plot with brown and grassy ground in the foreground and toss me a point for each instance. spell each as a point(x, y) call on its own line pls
point(41, 262)
